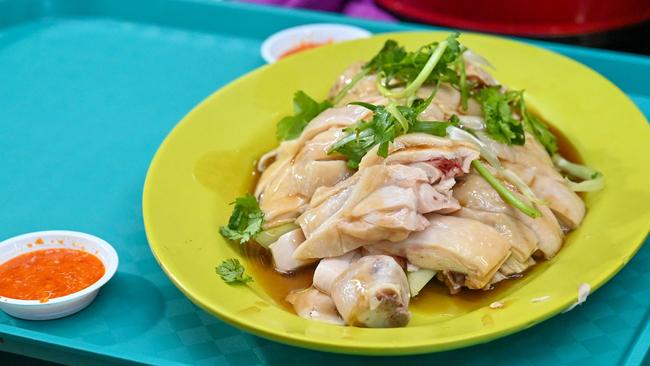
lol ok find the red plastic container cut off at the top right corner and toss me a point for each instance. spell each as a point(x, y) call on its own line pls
point(533, 18)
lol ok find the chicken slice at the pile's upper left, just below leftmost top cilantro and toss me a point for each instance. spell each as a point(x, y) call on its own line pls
point(302, 165)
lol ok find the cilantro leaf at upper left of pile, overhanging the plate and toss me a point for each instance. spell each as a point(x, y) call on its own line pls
point(305, 109)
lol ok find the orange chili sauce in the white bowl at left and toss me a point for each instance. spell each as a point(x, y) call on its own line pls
point(49, 273)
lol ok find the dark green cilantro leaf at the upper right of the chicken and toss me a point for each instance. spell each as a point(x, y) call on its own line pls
point(498, 115)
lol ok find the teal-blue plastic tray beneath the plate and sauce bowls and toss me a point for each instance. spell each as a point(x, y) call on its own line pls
point(88, 90)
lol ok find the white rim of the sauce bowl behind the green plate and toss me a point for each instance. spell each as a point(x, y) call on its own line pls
point(285, 40)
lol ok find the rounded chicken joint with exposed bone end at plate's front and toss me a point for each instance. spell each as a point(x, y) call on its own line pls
point(373, 292)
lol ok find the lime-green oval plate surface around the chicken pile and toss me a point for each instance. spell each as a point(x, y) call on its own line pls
point(207, 160)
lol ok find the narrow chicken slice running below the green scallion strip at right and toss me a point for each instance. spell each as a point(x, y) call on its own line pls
point(475, 193)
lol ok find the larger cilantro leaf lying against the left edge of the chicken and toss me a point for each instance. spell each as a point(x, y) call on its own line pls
point(246, 220)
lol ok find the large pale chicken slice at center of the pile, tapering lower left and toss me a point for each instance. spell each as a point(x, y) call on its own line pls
point(378, 203)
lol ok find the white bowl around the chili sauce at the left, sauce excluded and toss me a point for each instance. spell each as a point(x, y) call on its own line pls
point(65, 305)
